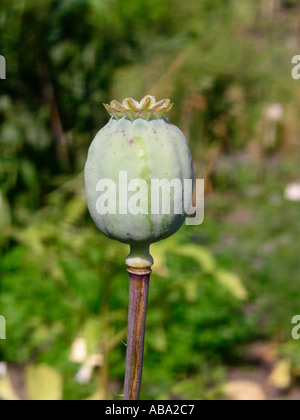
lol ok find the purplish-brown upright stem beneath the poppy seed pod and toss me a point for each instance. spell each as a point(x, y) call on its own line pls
point(138, 298)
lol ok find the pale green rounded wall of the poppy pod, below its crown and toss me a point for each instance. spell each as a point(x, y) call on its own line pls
point(147, 150)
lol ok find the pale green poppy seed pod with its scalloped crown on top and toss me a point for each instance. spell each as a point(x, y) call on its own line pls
point(130, 161)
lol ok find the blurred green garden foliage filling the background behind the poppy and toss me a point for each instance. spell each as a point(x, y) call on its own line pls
point(221, 328)
